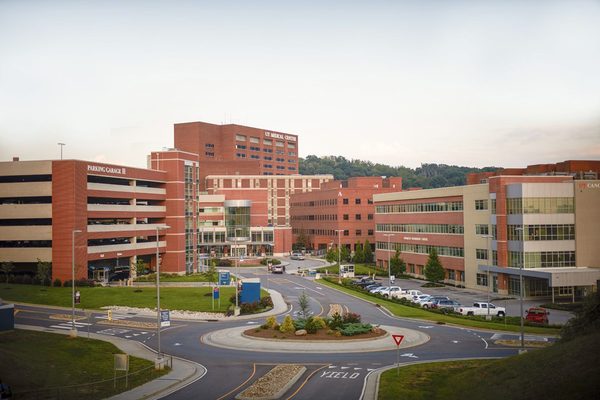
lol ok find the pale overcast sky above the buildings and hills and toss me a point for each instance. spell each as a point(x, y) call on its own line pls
point(472, 83)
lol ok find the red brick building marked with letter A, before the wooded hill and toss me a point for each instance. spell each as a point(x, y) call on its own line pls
point(345, 206)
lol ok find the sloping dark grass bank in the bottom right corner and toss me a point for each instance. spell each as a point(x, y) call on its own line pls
point(563, 371)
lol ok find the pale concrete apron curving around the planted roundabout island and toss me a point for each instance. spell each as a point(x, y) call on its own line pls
point(235, 339)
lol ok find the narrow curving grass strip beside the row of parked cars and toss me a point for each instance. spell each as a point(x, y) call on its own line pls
point(419, 313)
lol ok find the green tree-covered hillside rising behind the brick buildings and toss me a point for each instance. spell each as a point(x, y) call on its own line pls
point(426, 176)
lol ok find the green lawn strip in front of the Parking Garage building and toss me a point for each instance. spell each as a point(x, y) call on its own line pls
point(192, 299)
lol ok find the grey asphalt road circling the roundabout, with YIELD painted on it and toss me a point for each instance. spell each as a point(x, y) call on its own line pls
point(328, 376)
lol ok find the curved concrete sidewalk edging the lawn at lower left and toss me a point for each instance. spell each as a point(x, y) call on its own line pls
point(182, 374)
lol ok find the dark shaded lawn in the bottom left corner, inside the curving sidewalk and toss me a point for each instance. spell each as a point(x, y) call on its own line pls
point(39, 360)
